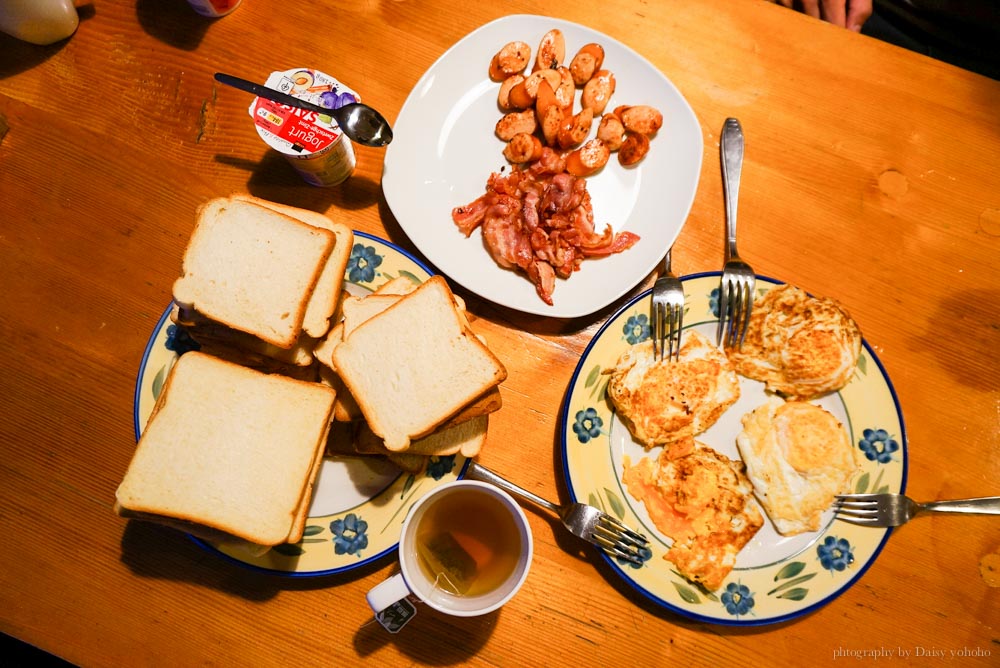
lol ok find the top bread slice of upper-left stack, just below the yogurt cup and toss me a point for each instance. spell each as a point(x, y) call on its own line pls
point(252, 269)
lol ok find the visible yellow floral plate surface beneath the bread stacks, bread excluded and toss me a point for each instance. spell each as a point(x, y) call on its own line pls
point(347, 527)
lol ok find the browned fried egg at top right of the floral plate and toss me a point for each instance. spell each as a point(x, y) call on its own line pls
point(800, 346)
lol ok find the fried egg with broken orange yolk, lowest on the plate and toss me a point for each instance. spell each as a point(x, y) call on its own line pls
point(704, 502)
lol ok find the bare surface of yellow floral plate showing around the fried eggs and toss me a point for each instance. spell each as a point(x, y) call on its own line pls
point(776, 578)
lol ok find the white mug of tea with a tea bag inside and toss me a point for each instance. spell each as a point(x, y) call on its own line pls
point(390, 600)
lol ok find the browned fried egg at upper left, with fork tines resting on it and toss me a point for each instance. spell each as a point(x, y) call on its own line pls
point(668, 403)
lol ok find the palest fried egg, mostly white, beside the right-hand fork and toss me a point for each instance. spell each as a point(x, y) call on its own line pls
point(798, 457)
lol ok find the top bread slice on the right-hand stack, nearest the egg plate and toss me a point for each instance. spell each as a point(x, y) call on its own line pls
point(415, 364)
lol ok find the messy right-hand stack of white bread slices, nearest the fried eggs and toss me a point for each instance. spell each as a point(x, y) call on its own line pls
point(412, 377)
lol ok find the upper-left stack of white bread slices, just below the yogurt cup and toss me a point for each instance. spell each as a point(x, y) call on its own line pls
point(261, 282)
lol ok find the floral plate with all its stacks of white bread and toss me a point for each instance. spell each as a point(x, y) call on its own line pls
point(283, 421)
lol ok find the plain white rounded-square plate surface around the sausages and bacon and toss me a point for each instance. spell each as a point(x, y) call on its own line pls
point(444, 149)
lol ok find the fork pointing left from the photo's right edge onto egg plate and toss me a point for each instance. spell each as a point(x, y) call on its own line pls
point(892, 510)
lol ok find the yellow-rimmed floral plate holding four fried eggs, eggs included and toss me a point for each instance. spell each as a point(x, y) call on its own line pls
point(733, 485)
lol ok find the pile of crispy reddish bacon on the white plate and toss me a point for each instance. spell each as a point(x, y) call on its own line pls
point(539, 220)
